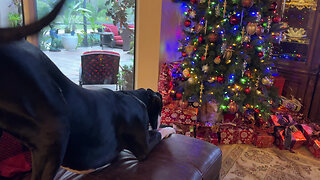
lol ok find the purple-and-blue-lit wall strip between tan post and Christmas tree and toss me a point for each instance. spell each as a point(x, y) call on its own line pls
point(171, 26)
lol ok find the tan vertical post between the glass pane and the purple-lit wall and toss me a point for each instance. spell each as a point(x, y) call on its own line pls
point(148, 27)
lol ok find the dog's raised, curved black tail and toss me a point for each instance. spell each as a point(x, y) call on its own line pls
point(17, 33)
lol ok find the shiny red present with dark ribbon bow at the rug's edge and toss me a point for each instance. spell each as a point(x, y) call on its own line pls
point(288, 136)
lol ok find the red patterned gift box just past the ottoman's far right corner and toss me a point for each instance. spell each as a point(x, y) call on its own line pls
point(228, 133)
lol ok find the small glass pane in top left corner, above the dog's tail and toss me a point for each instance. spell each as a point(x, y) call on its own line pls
point(10, 13)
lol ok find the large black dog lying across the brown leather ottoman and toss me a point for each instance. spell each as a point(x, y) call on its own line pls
point(64, 124)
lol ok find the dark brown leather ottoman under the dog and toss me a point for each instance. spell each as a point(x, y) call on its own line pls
point(177, 157)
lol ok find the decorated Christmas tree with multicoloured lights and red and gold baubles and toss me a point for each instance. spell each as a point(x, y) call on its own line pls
point(227, 54)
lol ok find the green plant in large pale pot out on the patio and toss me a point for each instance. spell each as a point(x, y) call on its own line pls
point(71, 13)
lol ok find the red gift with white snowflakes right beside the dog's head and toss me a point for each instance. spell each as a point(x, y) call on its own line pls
point(173, 113)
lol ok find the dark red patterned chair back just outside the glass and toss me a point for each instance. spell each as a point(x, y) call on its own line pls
point(99, 67)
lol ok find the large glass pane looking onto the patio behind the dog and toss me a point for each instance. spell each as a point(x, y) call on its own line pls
point(91, 25)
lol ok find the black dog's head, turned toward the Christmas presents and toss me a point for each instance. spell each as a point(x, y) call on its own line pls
point(154, 108)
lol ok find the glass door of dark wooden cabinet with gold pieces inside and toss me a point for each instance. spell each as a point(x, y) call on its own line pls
point(299, 14)
